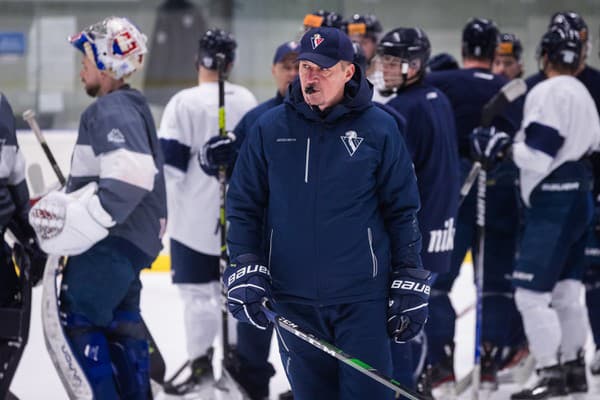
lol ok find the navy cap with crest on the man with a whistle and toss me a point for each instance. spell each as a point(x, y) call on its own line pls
point(325, 47)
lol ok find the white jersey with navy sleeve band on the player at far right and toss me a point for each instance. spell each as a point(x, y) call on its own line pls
point(560, 124)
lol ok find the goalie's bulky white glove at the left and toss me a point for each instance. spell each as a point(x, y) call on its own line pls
point(69, 224)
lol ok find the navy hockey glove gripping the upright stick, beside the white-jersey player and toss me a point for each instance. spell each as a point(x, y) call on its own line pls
point(489, 147)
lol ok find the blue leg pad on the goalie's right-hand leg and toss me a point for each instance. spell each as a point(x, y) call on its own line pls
point(129, 354)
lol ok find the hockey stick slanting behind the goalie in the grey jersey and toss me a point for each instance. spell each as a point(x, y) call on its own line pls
point(157, 362)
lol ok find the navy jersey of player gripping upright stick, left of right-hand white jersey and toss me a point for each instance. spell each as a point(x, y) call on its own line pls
point(469, 90)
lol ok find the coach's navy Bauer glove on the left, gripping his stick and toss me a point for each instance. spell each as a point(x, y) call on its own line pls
point(248, 281)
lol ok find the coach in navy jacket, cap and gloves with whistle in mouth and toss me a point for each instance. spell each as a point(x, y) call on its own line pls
point(327, 177)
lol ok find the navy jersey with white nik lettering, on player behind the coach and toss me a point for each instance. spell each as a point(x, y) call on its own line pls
point(430, 137)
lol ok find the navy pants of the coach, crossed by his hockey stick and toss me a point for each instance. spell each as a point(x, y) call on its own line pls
point(359, 329)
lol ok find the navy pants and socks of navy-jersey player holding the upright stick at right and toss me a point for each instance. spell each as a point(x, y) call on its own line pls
point(501, 234)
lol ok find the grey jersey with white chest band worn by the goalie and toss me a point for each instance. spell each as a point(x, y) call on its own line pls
point(117, 147)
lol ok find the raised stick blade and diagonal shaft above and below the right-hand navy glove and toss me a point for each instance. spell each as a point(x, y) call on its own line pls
point(494, 107)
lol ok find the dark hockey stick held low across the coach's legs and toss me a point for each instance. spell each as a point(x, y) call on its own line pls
point(339, 354)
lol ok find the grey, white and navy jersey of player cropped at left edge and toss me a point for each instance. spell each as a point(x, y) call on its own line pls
point(14, 195)
